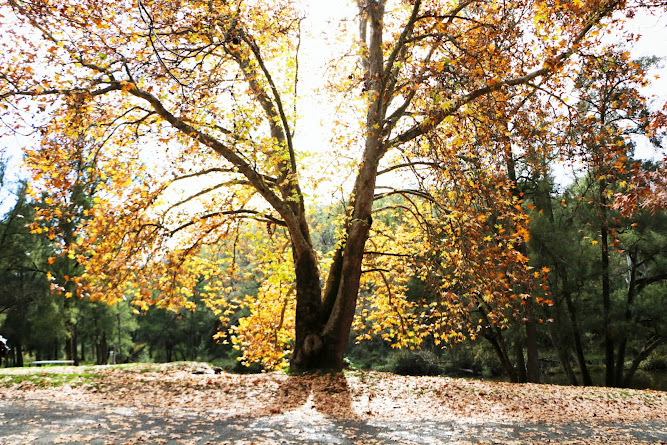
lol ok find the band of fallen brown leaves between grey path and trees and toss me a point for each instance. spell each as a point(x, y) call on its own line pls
point(352, 396)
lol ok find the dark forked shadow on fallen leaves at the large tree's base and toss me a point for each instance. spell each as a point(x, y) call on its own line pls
point(329, 394)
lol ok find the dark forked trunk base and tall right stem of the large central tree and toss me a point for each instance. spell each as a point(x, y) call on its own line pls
point(324, 319)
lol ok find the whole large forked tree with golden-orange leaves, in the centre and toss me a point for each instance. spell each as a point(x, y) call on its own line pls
point(176, 120)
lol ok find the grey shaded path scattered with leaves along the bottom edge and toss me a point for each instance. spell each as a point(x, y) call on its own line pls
point(28, 421)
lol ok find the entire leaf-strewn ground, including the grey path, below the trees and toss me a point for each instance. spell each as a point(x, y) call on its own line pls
point(187, 403)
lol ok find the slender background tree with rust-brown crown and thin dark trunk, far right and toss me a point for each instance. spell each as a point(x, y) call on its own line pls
point(609, 109)
